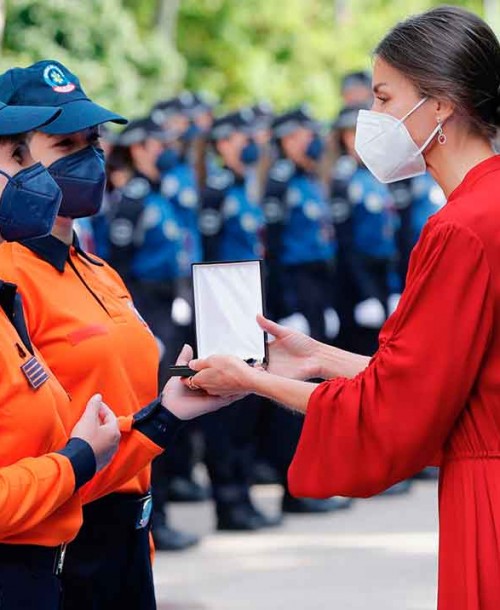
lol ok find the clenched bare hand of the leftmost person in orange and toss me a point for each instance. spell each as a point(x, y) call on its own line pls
point(98, 426)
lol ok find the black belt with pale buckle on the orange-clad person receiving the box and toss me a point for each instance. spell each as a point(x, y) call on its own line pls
point(119, 510)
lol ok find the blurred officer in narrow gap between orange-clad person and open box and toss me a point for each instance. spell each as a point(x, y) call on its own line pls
point(180, 116)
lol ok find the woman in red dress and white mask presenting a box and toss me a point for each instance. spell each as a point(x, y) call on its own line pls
point(432, 390)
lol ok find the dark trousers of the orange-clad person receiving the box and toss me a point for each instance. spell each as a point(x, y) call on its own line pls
point(121, 575)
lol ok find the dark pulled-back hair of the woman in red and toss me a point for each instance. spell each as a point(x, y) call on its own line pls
point(451, 53)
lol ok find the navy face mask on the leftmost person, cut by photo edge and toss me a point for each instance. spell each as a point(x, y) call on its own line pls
point(29, 204)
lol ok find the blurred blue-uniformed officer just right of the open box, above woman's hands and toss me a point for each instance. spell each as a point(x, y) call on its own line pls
point(300, 241)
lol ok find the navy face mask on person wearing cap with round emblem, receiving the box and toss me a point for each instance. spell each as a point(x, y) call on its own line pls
point(81, 177)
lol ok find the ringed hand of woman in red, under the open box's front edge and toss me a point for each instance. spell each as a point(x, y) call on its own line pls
point(224, 375)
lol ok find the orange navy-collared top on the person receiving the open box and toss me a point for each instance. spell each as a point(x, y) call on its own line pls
point(82, 319)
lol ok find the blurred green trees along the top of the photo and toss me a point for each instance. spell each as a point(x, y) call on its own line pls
point(286, 51)
